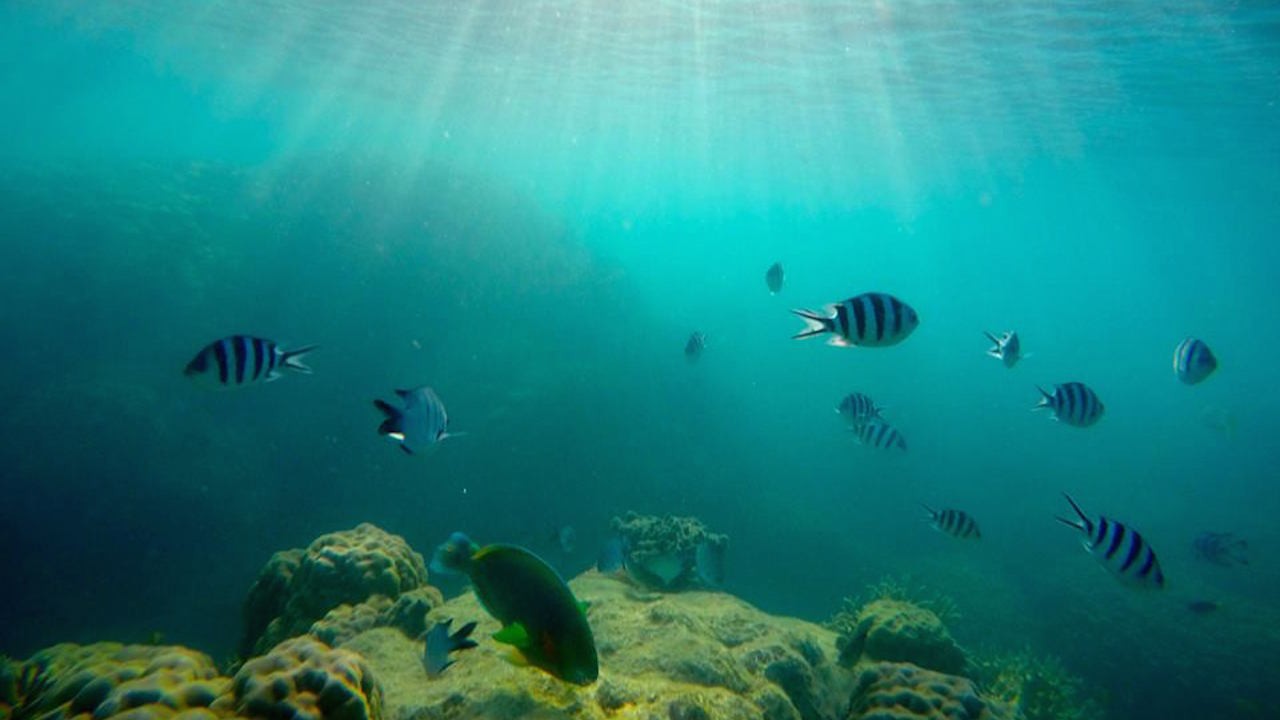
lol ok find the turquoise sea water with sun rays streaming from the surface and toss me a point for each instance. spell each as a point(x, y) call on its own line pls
point(531, 206)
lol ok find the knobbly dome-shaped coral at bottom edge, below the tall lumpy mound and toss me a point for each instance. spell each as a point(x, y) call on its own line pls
point(307, 680)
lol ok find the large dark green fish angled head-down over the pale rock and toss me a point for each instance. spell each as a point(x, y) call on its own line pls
point(540, 614)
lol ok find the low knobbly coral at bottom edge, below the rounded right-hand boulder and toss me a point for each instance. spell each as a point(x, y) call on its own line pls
point(893, 691)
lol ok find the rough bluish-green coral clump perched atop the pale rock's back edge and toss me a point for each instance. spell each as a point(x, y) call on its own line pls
point(664, 553)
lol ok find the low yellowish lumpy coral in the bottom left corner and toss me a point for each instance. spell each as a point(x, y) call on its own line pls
point(111, 680)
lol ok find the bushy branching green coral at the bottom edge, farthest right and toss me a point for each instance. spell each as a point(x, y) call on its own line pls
point(1039, 686)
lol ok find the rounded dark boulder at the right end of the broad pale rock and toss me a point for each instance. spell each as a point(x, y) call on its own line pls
point(899, 631)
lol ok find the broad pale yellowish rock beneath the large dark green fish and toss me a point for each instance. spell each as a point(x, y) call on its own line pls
point(665, 657)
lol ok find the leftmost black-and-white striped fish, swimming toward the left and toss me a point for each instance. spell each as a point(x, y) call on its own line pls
point(240, 361)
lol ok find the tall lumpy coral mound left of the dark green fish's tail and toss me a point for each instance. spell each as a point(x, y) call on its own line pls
point(298, 589)
